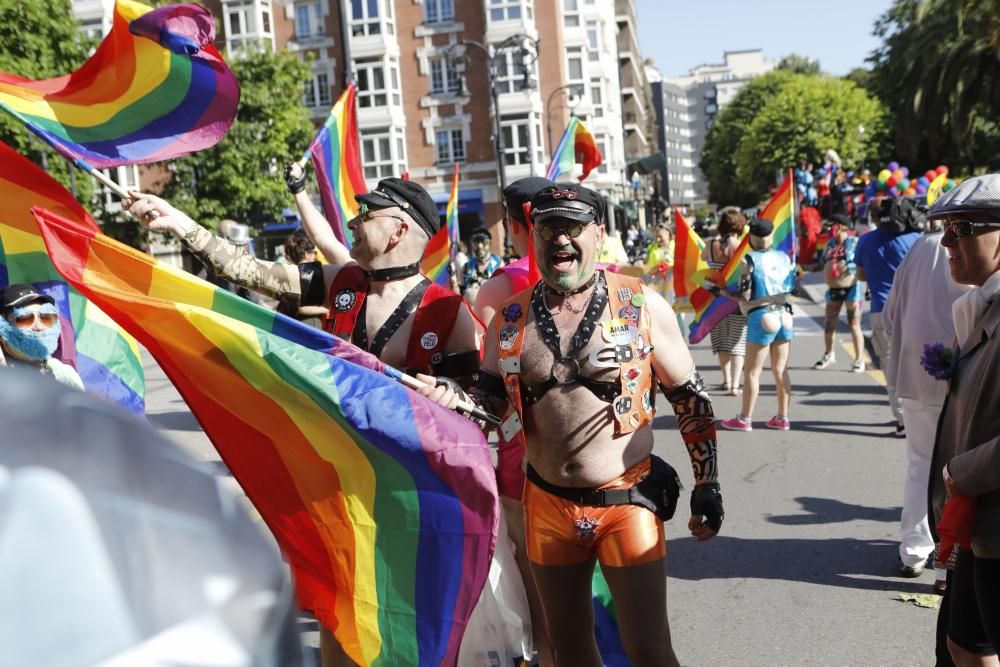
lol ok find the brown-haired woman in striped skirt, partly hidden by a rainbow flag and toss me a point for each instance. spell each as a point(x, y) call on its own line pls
point(729, 336)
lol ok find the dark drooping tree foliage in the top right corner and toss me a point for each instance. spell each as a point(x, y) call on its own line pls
point(938, 71)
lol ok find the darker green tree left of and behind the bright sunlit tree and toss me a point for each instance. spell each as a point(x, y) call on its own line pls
point(726, 133)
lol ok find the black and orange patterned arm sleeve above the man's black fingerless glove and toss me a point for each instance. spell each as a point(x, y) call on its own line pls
point(696, 422)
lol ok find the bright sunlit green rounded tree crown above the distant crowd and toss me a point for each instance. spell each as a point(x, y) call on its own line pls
point(807, 117)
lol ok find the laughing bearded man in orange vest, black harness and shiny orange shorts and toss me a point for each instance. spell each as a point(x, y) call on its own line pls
point(584, 407)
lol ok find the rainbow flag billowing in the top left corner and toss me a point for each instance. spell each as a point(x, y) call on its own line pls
point(156, 88)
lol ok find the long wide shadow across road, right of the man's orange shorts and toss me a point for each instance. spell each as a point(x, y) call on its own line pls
point(842, 562)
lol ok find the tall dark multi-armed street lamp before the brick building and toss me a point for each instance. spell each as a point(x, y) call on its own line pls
point(526, 48)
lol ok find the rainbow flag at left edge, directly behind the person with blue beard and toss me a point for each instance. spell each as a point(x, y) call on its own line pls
point(106, 357)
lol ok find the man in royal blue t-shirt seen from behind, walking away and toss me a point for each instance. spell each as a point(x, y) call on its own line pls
point(878, 256)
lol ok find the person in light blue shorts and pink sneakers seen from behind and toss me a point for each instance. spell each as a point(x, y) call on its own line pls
point(768, 276)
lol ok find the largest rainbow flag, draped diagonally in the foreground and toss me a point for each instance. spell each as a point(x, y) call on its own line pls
point(384, 504)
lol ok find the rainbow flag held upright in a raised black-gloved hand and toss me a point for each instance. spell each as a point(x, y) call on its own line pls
point(337, 161)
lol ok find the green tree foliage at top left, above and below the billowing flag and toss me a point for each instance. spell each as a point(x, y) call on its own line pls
point(40, 39)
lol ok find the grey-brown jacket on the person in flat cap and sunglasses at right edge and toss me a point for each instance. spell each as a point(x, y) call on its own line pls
point(968, 435)
